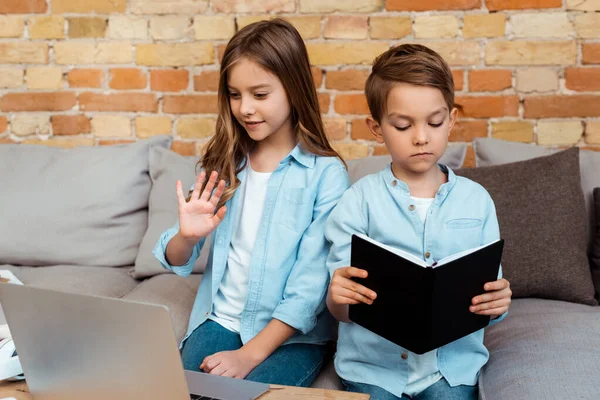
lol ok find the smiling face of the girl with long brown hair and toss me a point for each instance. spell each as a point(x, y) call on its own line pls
point(259, 101)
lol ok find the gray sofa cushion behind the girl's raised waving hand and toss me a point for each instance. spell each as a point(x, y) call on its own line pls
point(166, 167)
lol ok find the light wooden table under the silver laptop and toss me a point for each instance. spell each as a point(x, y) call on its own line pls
point(19, 391)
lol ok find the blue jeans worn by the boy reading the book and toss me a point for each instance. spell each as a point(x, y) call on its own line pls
point(440, 390)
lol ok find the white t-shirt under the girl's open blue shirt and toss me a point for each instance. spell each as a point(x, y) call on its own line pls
point(231, 296)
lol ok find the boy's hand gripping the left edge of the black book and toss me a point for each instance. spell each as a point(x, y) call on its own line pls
point(343, 290)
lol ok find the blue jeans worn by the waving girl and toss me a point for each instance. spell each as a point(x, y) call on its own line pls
point(296, 364)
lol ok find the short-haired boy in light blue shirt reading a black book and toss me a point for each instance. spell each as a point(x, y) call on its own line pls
point(421, 207)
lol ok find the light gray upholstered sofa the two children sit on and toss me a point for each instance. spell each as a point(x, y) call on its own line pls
point(85, 220)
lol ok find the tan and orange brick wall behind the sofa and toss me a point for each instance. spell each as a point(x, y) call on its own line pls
point(99, 72)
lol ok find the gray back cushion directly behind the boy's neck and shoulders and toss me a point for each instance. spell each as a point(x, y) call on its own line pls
point(453, 158)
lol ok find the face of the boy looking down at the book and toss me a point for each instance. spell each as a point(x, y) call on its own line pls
point(414, 128)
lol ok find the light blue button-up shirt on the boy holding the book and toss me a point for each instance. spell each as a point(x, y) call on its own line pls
point(462, 216)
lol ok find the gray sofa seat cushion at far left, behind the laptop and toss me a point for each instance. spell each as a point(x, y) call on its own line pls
point(97, 281)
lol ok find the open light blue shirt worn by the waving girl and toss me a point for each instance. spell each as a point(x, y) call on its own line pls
point(288, 275)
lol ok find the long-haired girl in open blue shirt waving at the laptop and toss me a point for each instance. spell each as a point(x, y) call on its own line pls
point(259, 310)
